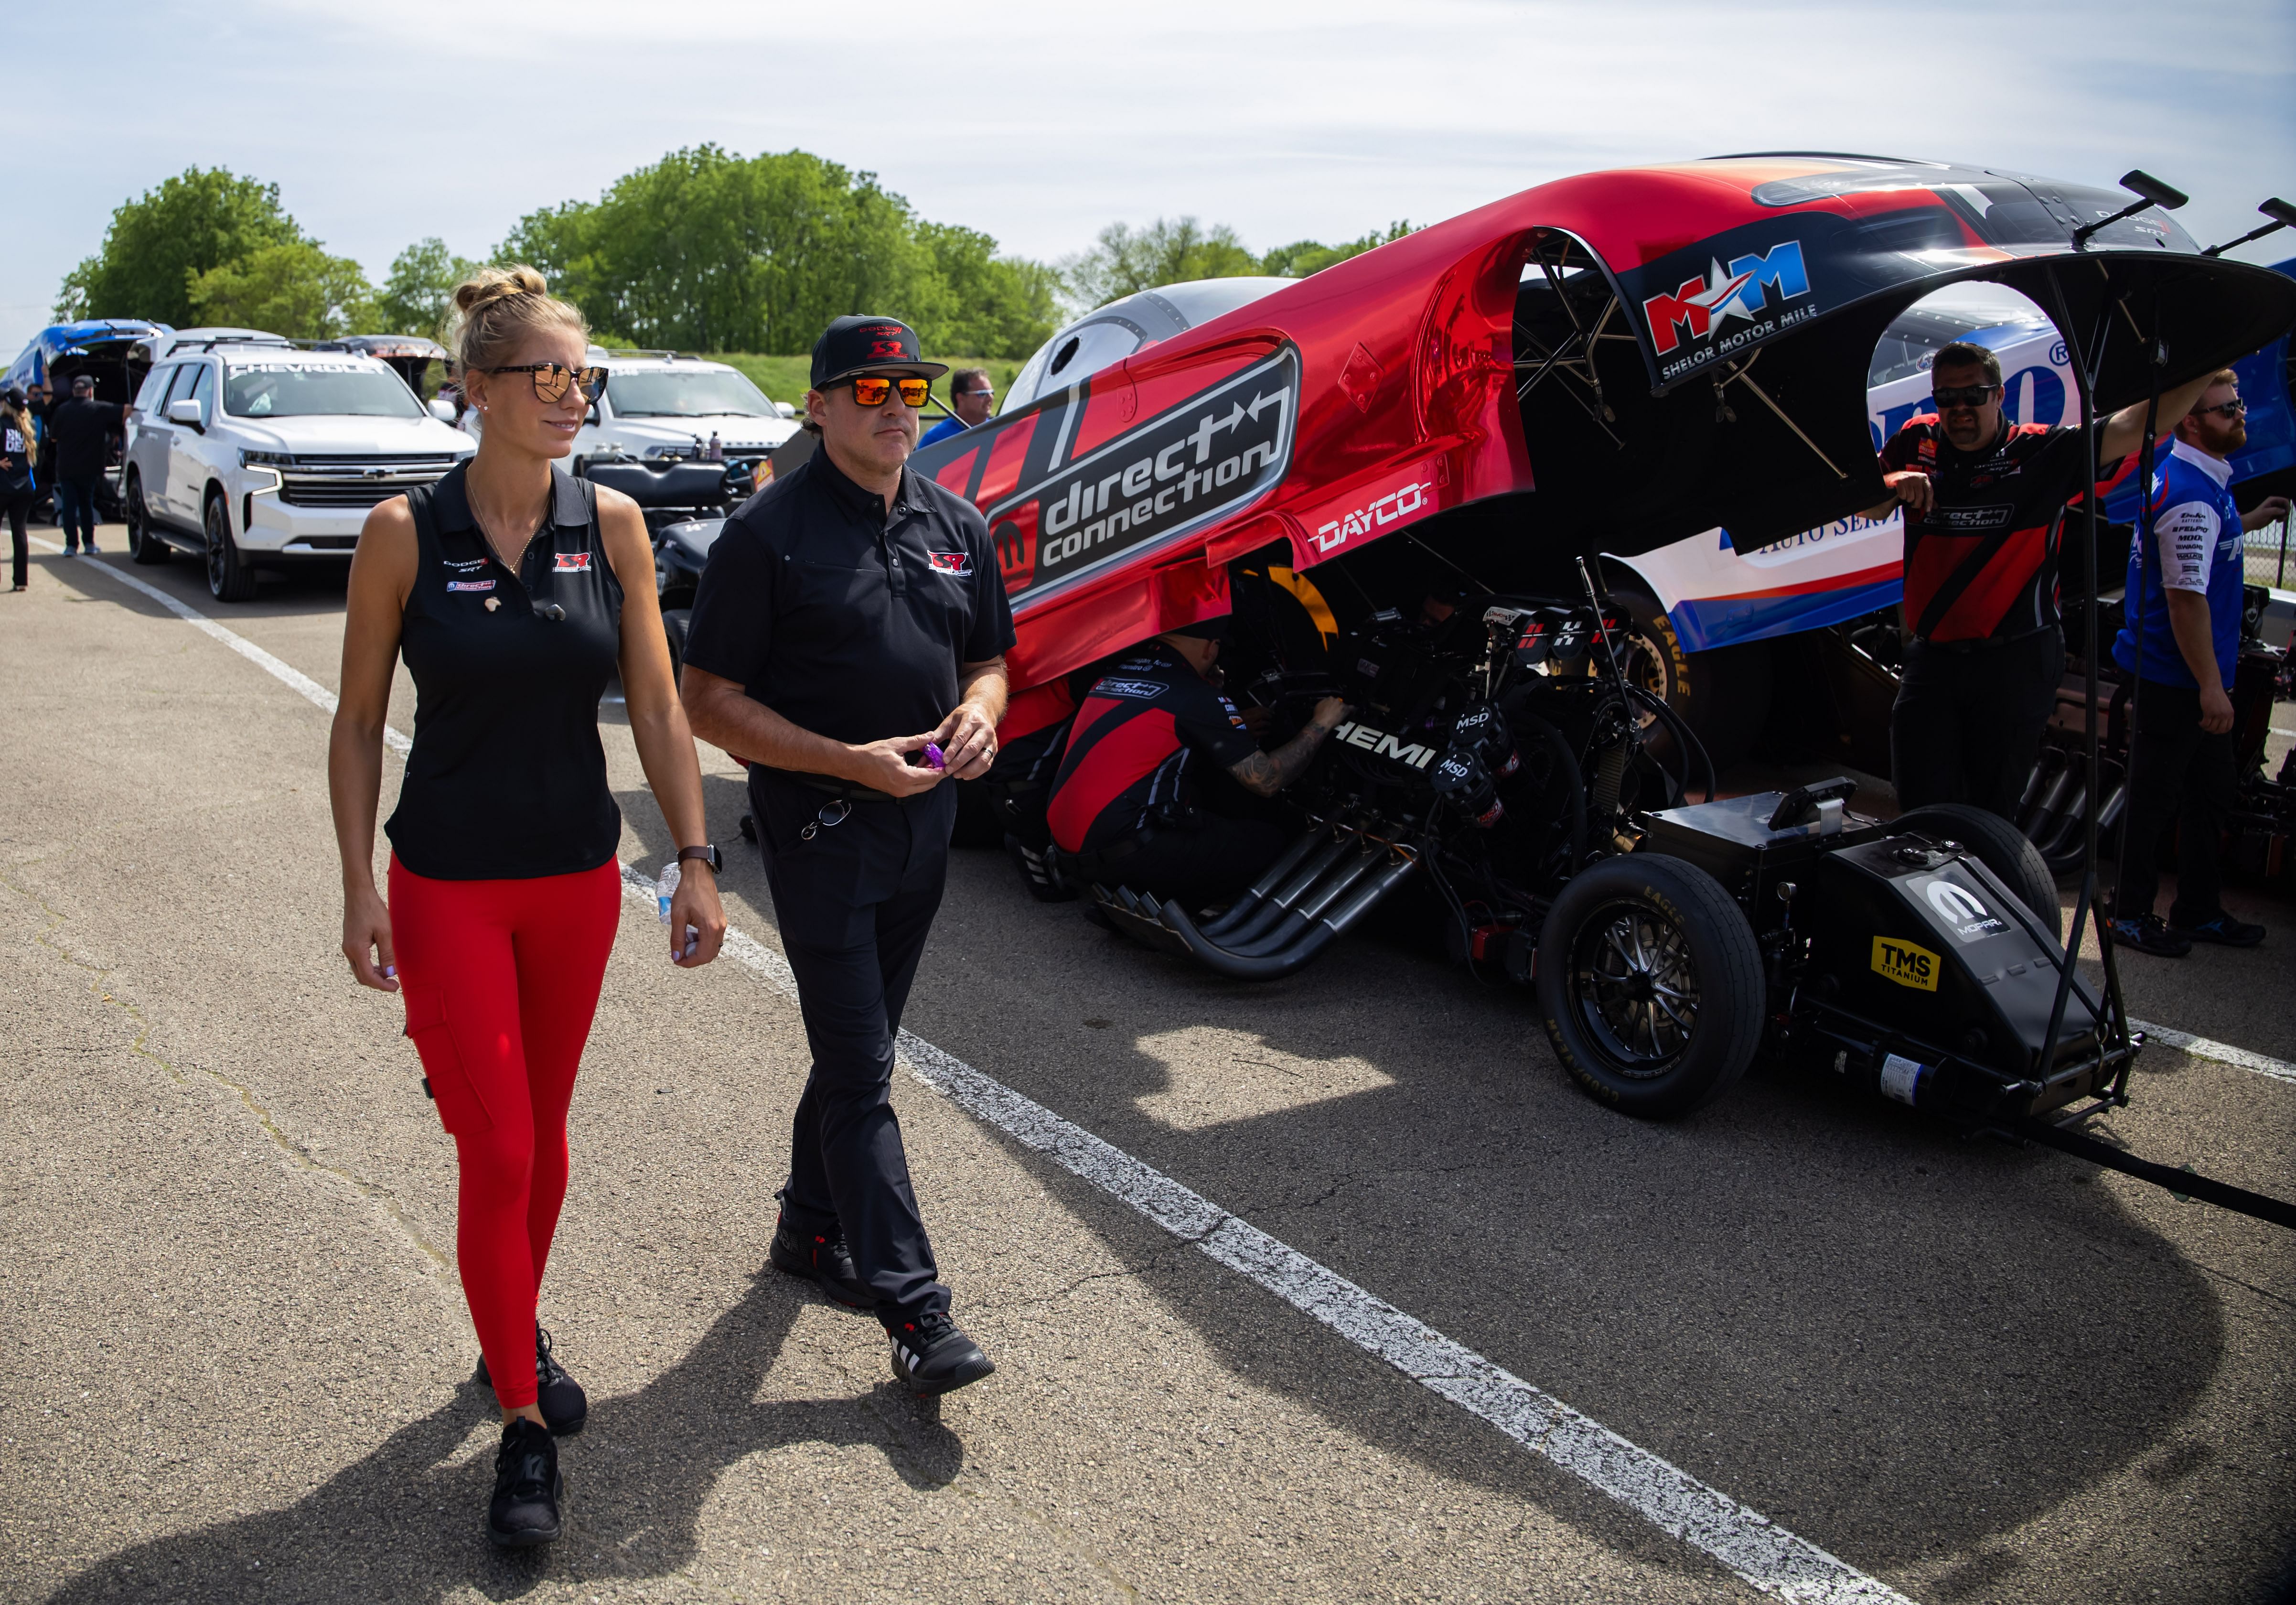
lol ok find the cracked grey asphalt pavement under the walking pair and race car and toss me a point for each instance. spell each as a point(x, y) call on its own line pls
point(235, 1363)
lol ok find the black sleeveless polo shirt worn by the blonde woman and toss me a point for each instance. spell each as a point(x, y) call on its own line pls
point(506, 777)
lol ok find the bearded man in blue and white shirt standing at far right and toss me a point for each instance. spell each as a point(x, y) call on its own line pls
point(2189, 577)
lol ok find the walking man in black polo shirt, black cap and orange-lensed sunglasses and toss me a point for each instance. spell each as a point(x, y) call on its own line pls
point(848, 644)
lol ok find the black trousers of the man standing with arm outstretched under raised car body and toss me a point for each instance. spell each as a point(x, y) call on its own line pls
point(1969, 722)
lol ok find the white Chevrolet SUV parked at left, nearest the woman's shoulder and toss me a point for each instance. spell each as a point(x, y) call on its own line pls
point(256, 453)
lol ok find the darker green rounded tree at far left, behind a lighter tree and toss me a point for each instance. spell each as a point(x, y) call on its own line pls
point(171, 235)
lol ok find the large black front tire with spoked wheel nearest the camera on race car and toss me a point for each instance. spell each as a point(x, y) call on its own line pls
point(1627, 936)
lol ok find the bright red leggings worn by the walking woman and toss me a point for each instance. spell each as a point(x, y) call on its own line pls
point(502, 979)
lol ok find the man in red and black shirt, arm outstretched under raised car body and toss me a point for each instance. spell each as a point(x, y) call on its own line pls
point(1985, 504)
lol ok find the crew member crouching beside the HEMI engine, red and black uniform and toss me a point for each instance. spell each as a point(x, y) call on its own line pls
point(1131, 800)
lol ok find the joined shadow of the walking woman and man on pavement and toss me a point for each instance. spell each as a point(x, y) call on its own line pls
point(405, 1523)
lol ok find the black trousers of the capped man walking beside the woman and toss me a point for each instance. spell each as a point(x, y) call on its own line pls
point(855, 906)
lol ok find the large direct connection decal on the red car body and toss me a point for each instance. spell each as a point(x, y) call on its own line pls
point(1179, 472)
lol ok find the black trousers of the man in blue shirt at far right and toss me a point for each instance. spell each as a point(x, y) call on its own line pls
point(2180, 777)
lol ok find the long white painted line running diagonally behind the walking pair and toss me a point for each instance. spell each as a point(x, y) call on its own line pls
point(1751, 1544)
